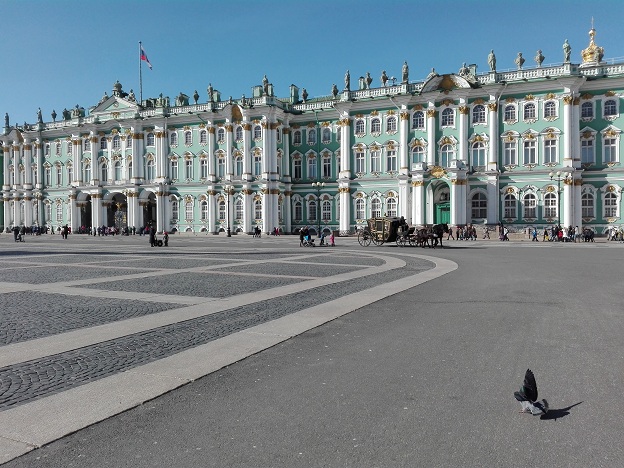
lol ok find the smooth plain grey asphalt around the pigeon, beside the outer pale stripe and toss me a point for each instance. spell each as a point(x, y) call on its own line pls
point(423, 378)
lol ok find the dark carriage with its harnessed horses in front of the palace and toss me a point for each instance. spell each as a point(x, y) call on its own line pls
point(383, 230)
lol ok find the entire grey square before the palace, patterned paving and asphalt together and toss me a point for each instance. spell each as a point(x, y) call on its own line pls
point(243, 352)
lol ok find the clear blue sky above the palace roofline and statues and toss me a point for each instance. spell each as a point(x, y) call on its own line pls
point(56, 54)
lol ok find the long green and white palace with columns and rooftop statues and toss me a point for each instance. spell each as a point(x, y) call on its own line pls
point(533, 146)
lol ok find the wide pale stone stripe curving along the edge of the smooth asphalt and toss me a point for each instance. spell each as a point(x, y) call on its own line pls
point(42, 421)
